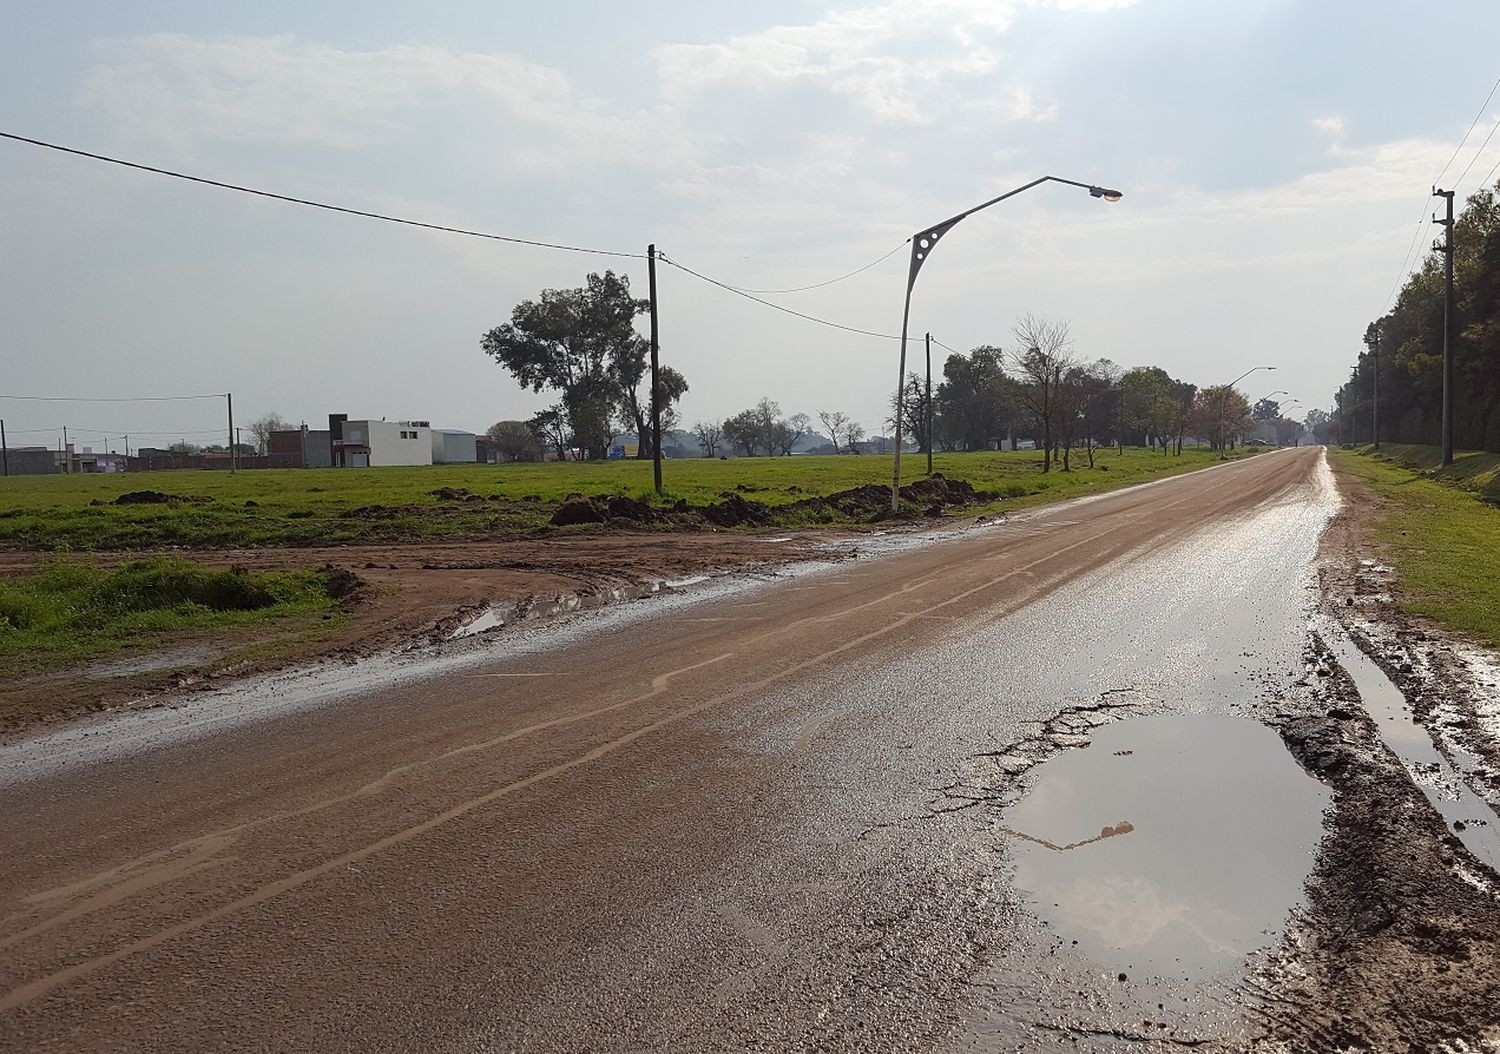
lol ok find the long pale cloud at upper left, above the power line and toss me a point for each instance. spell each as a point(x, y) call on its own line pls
point(278, 91)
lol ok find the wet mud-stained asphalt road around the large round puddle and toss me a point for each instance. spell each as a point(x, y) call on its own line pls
point(769, 818)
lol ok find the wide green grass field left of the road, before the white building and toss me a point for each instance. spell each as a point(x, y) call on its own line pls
point(290, 508)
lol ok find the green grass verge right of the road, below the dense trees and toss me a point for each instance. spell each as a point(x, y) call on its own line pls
point(1442, 537)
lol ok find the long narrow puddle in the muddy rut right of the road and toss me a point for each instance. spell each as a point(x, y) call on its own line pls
point(1466, 813)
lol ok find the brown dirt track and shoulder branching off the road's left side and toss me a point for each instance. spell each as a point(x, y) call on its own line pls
point(412, 593)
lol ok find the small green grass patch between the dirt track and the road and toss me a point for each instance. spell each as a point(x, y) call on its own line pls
point(73, 611)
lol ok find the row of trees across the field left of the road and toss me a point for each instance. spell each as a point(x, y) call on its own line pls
point(583, 346)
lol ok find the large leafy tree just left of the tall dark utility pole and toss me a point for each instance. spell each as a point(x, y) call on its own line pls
point(581, 344)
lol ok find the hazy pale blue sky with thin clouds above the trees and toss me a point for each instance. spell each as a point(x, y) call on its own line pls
point(1276, 161)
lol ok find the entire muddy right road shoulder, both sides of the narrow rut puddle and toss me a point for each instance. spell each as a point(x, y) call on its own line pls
point(1397, 948)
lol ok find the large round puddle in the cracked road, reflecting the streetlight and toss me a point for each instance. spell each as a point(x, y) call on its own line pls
point(1172, 846)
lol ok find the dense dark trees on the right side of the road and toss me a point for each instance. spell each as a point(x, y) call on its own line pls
point(1408, 343)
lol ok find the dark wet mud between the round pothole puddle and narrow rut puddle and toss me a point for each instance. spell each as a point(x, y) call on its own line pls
point(1399, 948)
